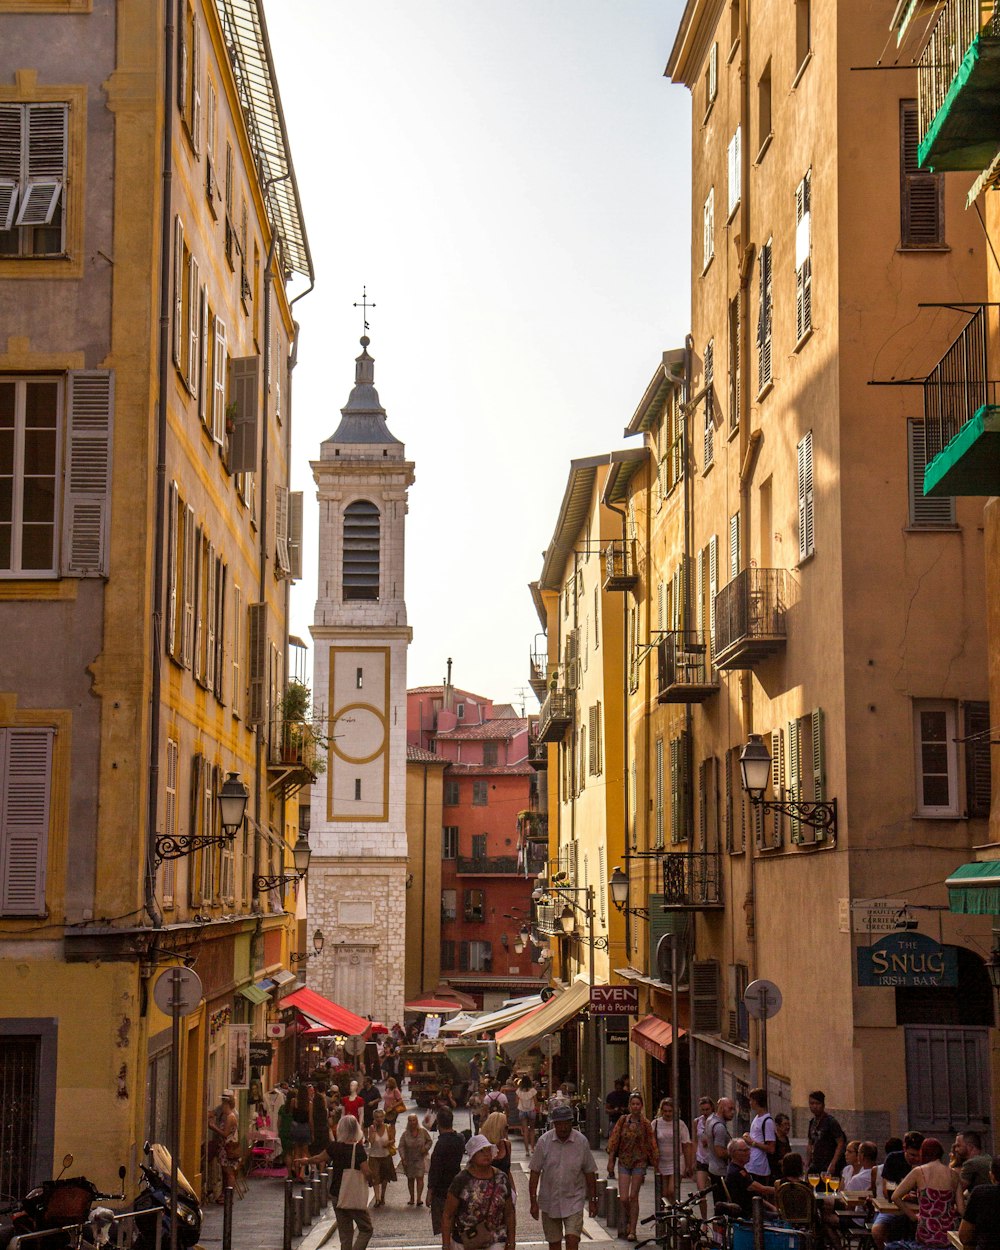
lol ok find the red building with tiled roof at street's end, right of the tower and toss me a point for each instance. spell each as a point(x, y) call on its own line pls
point(493, 842)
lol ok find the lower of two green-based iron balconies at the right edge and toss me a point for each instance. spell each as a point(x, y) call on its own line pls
point(962, 419)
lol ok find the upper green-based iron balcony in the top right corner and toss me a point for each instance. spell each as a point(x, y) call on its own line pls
point(959, 88)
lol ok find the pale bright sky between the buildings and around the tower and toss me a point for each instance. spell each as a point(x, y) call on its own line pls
point(511, 181)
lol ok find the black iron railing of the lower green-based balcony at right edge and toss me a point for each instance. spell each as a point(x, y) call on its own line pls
point(959, 386)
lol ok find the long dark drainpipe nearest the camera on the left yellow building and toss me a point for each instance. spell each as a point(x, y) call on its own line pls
point(167, 179)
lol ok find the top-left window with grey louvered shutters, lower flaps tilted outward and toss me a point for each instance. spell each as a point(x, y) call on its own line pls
point(33, 177)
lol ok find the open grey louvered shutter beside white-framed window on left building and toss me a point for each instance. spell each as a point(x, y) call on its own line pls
point(87, 502)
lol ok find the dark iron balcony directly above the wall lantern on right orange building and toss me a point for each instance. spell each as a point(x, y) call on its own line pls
point(751, 618)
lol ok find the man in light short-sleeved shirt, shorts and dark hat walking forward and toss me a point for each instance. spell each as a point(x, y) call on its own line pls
point(563, 1177)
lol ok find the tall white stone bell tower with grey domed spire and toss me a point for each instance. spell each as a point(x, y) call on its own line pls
point(358, 874)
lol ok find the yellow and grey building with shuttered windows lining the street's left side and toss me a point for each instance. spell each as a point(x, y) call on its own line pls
point(148, 549)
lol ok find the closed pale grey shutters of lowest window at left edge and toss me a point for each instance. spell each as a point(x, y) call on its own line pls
point(26, 779)
